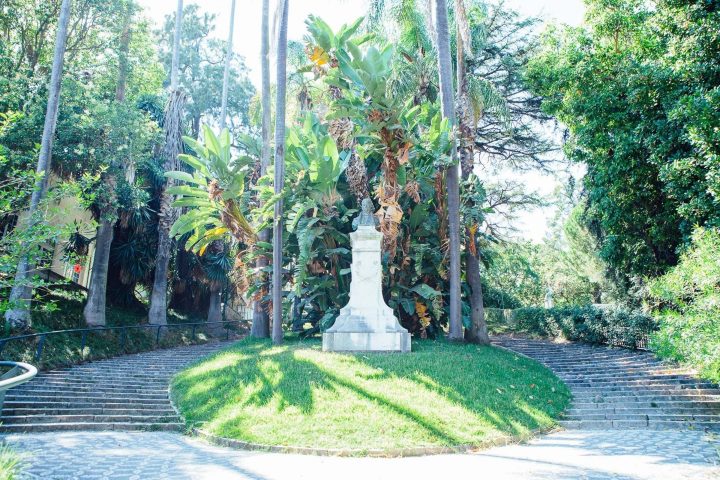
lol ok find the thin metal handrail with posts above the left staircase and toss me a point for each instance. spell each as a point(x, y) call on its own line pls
point(124, 328)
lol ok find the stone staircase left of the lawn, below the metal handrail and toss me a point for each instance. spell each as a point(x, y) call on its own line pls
point(122, 393)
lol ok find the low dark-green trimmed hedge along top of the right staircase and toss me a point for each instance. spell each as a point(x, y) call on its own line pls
point(616, 326)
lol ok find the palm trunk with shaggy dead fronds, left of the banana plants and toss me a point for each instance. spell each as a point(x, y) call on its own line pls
point(172, 148)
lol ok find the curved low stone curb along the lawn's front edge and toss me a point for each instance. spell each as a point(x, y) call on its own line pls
point(376, 453)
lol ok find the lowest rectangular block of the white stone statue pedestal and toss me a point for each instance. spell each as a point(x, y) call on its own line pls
point(366, 342)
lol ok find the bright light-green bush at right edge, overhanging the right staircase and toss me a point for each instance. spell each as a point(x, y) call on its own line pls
point(687, 303)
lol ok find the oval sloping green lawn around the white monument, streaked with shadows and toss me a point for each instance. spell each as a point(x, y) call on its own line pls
point(442, 394)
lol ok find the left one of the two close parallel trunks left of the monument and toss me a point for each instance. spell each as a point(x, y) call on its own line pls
point(261, 319)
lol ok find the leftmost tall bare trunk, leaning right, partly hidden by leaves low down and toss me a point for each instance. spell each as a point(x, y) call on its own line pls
point(21, 294)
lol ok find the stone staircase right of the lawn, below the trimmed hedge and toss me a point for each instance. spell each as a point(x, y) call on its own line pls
point(619, 388)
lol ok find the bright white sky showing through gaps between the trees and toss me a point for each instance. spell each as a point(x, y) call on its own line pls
point(532, 225)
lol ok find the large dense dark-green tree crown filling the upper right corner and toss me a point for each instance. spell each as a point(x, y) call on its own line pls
point(638, 88)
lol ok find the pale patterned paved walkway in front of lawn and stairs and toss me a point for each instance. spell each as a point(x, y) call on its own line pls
point(572, 454)
